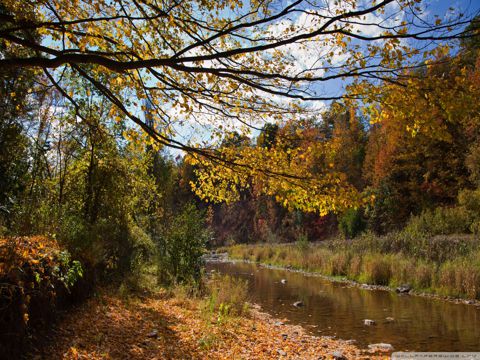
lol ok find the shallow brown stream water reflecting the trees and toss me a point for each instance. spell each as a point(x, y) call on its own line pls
point(335, 309)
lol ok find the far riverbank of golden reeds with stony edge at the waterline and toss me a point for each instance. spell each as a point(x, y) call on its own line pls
point(456, 279)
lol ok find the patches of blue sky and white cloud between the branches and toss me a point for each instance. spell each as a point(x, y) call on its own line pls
point(311, 56)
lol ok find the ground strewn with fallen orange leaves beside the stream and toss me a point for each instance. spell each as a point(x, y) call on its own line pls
point(159, 327)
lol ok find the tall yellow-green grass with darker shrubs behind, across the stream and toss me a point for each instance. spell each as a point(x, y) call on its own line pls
point(447, 266)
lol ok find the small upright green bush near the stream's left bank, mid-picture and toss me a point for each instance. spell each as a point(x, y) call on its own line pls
point(182, 245)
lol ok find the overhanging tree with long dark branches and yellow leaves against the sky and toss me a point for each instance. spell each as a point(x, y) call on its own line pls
point(225, 65)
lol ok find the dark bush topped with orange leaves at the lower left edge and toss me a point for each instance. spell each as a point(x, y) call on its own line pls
point(37, 277)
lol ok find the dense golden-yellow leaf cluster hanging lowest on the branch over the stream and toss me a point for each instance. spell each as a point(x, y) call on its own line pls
point(298, 177)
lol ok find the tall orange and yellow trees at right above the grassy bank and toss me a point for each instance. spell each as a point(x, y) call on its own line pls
point(417, 156)
